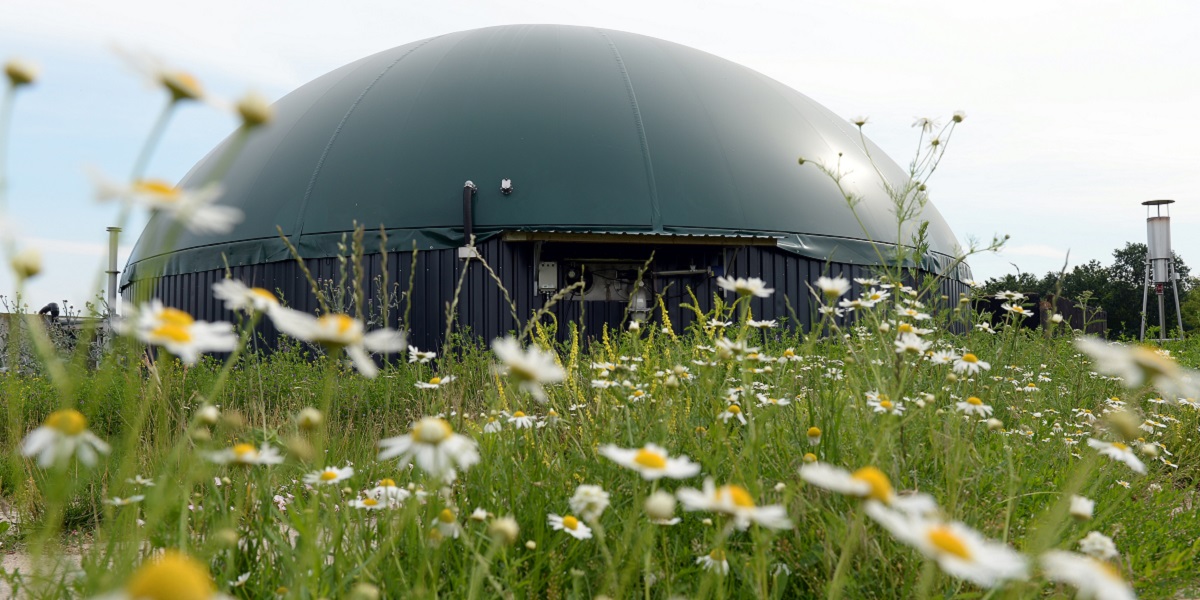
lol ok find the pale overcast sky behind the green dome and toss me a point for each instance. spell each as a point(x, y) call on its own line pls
point(1077, 111)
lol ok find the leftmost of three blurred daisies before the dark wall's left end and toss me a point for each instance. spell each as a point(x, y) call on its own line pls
point(176, 331)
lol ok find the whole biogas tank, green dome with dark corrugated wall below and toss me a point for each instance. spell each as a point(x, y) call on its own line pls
point(605, 169)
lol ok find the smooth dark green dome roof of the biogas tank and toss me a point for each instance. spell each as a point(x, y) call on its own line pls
point(598, 130)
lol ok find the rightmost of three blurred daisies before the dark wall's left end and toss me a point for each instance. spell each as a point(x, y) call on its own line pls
point(339, 331)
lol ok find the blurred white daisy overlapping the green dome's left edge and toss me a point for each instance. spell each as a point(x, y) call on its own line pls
point(195, 209)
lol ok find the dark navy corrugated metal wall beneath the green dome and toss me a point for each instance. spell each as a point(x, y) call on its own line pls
point(482, 305)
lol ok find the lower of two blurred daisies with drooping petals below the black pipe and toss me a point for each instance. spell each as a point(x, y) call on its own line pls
point(435, 447)
